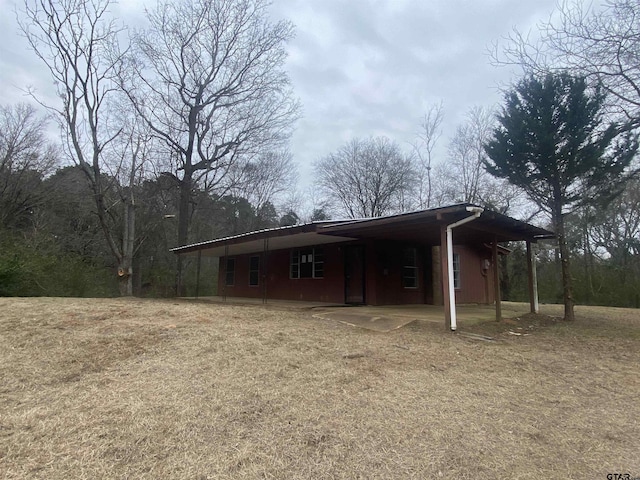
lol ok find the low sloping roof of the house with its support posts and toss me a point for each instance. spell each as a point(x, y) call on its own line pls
point(462, 224)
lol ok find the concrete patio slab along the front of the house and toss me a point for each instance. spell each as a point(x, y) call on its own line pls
point(380, 318)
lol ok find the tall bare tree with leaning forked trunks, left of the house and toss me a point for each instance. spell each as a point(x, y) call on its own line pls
point(78, 42)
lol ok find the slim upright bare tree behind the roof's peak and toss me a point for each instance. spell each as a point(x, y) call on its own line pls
point(424, 146)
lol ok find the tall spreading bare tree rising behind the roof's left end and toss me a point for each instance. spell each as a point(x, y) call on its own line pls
point(208, 79)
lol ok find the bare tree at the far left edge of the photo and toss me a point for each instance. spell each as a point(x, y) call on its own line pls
point(25, 157)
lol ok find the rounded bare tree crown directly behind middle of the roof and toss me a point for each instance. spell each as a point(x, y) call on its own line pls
point(366, 178)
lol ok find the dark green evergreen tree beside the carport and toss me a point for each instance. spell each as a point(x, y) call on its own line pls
point(552, 141)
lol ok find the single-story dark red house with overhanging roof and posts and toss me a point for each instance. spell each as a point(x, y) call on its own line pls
point(440, 256)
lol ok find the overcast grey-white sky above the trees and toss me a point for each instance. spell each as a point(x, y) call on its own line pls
point(359, 67)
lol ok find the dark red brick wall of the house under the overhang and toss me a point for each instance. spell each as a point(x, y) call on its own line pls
point(383, 276)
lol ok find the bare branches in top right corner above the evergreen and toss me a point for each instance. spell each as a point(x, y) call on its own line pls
point(600, 44)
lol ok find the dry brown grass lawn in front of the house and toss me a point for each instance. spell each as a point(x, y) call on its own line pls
point(162, 389)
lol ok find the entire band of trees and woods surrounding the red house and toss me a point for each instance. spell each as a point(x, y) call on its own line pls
point(180, 135)
